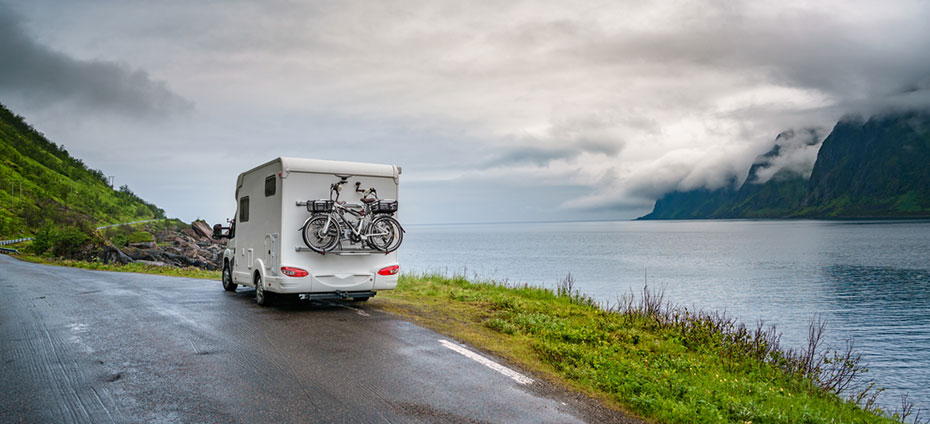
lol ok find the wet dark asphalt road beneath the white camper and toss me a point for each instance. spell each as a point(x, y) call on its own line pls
point(93, 347)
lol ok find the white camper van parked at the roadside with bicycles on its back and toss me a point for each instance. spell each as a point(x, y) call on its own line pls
point(267, 244)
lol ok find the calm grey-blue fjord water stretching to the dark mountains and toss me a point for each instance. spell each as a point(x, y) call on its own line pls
point(870, 280)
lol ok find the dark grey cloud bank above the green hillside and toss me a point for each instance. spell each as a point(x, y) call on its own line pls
point(42, 77)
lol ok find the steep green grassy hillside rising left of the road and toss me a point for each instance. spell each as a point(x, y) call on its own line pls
point(56, 189)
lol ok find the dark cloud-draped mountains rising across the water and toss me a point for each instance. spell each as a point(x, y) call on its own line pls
point(873, 169)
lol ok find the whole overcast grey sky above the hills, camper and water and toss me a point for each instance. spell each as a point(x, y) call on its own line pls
point(497, 111)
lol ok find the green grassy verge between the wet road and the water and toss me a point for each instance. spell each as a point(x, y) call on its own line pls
point(631, 361)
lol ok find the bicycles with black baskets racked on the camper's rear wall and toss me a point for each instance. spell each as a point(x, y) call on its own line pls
point(371, 222)
